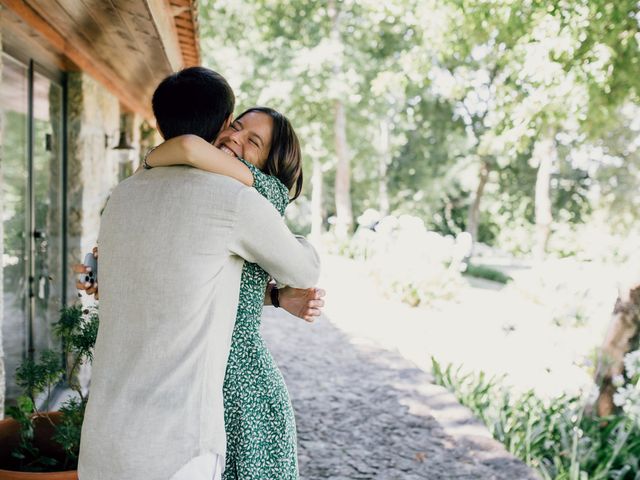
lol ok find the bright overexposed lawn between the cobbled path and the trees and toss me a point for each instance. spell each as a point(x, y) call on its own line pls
point(536, 343)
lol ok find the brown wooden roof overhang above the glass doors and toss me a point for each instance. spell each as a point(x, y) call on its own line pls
point(127, 45)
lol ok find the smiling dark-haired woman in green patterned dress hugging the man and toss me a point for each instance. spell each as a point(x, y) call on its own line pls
point(260, 149)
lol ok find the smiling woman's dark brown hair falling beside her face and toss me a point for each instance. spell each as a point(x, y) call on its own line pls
point(285, 157)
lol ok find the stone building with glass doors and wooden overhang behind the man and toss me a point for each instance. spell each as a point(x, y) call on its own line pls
point(64, 105)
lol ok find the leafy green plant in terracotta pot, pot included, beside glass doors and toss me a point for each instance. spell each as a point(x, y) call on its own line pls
point(40, 444)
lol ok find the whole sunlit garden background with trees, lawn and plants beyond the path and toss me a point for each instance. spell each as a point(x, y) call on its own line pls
point(472, 173)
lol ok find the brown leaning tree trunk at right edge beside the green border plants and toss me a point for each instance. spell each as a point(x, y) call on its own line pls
point(621, 338)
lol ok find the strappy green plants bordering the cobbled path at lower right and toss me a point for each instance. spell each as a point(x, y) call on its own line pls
point(558, 438)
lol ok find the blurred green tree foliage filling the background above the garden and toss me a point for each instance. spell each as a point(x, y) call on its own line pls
point(459, 84)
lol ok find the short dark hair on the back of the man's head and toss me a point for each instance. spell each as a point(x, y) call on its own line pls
point(193, 101)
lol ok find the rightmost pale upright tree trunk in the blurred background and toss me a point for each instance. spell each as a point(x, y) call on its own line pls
point(545, 154)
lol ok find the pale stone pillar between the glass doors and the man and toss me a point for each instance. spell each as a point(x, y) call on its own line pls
point(93, 125)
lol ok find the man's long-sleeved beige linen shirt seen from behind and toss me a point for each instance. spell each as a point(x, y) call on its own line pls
point(172, 243)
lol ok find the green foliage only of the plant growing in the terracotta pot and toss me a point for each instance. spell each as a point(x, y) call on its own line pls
point(76, 329)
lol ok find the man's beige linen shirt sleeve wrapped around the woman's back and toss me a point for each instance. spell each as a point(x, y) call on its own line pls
point(261, 236)
